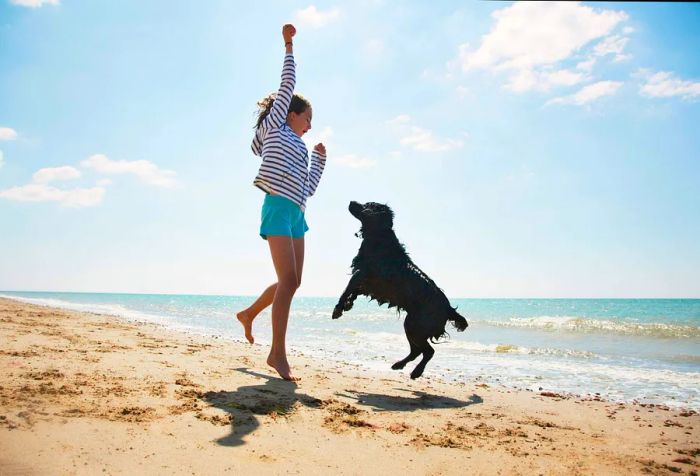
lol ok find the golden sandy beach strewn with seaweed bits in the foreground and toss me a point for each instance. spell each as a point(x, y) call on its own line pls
point(93, 394)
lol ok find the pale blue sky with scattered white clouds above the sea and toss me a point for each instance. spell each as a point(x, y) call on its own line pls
point(527, 149)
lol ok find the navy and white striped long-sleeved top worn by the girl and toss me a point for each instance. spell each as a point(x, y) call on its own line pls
point(285, 161)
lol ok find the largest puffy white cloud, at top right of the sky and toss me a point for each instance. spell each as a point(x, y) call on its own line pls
point(529, 39)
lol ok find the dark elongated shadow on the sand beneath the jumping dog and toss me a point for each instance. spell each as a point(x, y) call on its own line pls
point(418, 400)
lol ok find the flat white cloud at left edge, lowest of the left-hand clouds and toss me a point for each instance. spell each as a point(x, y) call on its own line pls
point(39, 192)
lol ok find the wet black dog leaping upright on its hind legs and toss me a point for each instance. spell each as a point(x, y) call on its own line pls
point(383, 271)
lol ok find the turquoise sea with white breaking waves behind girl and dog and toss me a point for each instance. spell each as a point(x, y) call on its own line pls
point(644, 350)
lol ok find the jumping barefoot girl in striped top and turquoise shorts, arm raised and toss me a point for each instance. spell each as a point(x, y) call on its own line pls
point(287, 181)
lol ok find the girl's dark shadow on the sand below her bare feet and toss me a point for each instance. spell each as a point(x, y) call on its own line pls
point(273, 397)
